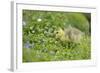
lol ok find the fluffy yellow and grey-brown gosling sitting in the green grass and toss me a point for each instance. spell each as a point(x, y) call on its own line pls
point(69, 34)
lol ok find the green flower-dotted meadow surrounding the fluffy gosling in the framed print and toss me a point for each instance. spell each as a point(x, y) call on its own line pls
point(40, 43)
